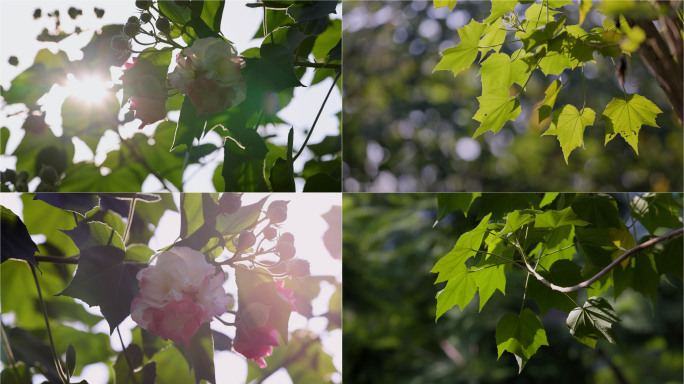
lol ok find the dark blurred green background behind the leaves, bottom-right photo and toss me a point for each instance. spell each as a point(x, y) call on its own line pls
point(390, 335)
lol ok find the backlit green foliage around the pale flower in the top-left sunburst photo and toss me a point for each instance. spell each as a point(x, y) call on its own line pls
point(293, 32)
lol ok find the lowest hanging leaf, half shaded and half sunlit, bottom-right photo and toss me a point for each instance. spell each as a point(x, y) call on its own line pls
point(520, 335)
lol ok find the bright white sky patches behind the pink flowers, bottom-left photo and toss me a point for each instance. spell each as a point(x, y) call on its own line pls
point(304, 222)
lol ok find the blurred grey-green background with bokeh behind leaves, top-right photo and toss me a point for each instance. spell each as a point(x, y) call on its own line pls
point(408, 129)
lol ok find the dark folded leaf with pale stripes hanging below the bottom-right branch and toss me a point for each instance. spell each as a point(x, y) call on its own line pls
point(593, 321)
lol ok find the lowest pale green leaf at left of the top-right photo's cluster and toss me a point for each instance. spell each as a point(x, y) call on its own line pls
point(496, 108)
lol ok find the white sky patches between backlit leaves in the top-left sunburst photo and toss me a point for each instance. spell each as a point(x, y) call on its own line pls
point(239, 23)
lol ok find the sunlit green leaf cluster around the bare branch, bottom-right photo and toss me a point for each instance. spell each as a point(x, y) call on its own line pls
point(541, 241)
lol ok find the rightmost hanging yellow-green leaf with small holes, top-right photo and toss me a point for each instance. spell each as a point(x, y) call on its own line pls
point(625, 117)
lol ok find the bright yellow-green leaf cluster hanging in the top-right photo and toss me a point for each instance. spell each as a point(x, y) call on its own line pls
point(553, 47)
